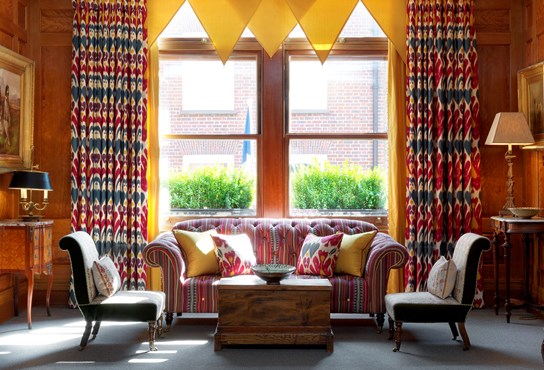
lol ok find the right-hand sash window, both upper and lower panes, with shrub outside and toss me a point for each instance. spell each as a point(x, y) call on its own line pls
point(344, 175)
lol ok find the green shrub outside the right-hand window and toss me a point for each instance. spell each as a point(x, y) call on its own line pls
point(346, 186)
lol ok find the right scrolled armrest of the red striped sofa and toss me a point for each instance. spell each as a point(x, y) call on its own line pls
point(385, 254)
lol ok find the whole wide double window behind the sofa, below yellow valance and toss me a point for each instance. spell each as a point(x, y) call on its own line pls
point(273, 131)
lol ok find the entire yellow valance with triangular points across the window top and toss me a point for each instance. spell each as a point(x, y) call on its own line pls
point(271, 21)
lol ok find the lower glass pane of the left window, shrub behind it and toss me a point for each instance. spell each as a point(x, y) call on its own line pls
point(209, 177)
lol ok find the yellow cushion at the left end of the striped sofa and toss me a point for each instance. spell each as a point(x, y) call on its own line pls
point(198, 249)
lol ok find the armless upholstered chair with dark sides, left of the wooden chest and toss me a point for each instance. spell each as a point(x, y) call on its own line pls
point(135, 305)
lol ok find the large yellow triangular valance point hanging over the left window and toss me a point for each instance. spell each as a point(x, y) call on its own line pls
point(224, 21)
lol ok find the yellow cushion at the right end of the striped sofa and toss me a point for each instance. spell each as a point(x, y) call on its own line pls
point(353, 252)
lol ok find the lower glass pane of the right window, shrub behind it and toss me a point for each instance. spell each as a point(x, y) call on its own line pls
point(338, 177)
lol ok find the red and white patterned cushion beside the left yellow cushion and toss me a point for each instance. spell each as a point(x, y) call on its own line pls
point(234, 254)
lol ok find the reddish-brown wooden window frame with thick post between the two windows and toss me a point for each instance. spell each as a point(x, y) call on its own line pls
point(272, 138)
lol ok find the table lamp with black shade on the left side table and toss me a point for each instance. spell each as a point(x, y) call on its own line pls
point(26, 182)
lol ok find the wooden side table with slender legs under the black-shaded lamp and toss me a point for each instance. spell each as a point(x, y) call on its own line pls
point(26, 247)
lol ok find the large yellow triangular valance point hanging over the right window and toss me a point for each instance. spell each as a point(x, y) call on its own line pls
point(322, 21)
